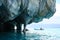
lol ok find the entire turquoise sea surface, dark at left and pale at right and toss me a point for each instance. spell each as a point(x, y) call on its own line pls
point(46, 34)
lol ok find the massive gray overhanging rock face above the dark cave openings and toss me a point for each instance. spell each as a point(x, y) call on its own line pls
point(26, 11)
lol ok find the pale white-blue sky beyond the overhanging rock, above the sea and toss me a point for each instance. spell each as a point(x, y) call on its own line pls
point(54, 20)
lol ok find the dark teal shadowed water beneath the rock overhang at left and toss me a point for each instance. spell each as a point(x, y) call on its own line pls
point(12, 36)
